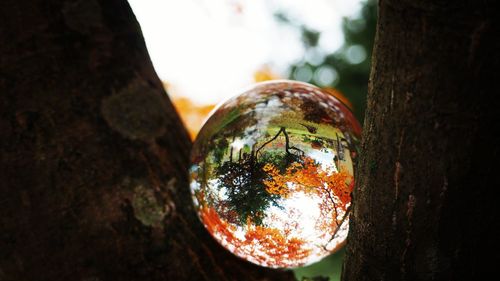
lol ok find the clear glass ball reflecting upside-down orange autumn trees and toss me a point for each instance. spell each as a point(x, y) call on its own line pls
point(272, 173)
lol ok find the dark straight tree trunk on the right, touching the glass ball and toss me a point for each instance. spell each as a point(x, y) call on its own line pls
point(423, 208)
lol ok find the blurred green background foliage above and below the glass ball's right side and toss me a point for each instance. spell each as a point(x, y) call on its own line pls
point(346, 70)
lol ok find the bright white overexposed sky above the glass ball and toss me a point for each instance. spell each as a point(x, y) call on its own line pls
point(210, 49)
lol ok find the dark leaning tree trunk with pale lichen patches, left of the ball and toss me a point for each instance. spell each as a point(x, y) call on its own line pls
point(93, 171)
